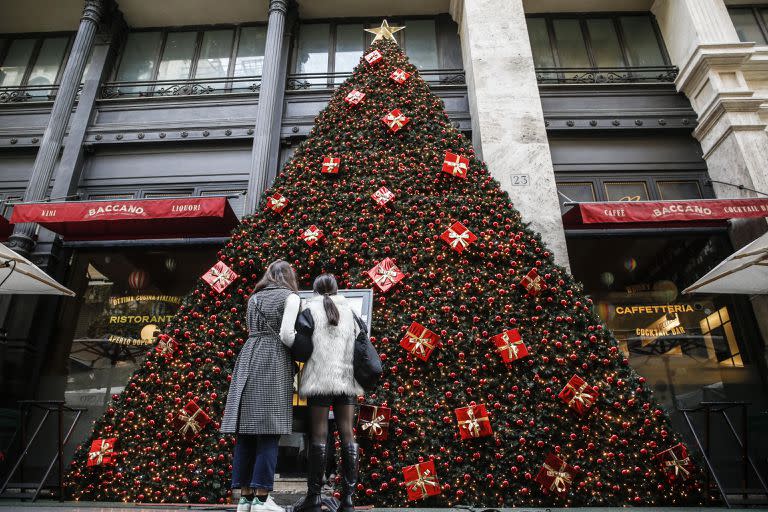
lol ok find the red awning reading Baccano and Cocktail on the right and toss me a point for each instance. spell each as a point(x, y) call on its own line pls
point(682, 212)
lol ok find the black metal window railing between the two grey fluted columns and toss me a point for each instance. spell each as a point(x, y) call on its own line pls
point(182, 87)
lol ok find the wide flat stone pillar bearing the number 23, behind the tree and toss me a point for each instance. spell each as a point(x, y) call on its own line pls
point(508, 128)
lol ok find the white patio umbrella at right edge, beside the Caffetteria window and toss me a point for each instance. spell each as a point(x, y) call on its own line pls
point(745, 271)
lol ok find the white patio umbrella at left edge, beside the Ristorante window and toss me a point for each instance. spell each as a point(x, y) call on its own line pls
point(18, 275)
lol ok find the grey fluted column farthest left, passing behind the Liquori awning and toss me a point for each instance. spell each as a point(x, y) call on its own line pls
point(22, 239)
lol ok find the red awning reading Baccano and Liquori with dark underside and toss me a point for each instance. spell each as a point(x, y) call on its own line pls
point(129, 219)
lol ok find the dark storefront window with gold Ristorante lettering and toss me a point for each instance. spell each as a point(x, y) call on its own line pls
point(126, 295)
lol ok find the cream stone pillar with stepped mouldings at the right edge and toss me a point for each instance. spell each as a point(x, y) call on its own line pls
point(723, 78)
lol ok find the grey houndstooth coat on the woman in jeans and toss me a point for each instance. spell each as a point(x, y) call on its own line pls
point(261, 392)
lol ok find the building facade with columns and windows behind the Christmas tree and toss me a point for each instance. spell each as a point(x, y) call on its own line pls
point(567, 101)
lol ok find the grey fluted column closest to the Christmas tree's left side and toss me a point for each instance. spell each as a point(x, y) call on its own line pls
point(271, 77)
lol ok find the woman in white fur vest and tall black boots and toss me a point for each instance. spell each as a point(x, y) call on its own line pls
point(329, 380)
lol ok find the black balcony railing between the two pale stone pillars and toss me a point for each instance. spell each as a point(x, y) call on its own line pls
point(646, 74)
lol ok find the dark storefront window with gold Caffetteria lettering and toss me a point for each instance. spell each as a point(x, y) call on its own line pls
point(689, 347)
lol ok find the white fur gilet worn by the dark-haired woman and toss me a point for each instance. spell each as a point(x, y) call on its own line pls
point(329, 371)
